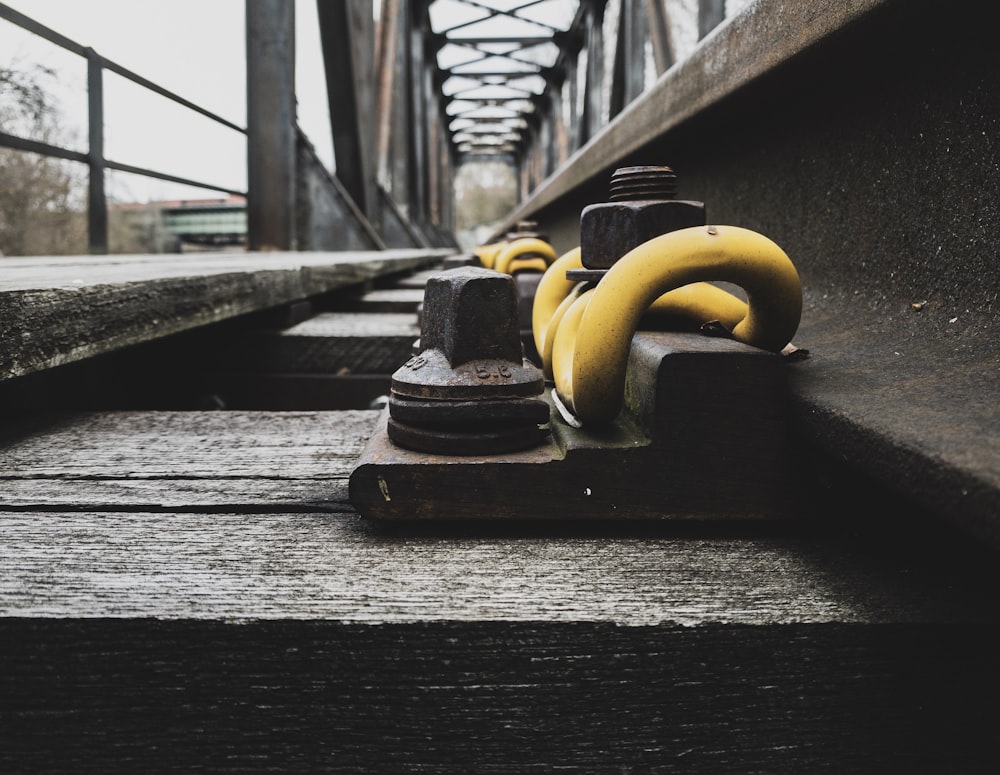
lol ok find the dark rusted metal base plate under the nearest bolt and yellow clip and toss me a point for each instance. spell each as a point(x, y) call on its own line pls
point(702, 437)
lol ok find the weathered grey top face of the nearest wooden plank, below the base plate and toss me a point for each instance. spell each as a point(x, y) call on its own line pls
point(323, 566)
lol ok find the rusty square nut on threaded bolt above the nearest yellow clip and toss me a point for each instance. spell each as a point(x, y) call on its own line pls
point(641, 206)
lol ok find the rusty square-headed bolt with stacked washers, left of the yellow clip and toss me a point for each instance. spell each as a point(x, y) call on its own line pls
point(469, 390)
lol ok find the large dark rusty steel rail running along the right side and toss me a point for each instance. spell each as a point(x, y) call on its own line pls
point(904, 396)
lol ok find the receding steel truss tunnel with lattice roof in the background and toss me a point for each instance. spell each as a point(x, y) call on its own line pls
point(450, 82)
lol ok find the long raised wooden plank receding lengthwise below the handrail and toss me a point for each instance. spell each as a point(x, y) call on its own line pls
point(56, 311)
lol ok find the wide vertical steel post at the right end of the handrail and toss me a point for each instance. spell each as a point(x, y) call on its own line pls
point(270, 124)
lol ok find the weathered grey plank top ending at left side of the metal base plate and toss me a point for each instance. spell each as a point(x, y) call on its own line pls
point(170, 460)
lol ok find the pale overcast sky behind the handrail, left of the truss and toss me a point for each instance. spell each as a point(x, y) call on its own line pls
point(195, 48)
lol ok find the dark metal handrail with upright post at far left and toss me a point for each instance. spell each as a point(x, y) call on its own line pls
point(97, 224)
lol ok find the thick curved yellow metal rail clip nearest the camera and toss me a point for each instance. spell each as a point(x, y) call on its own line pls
point(590, 346)
